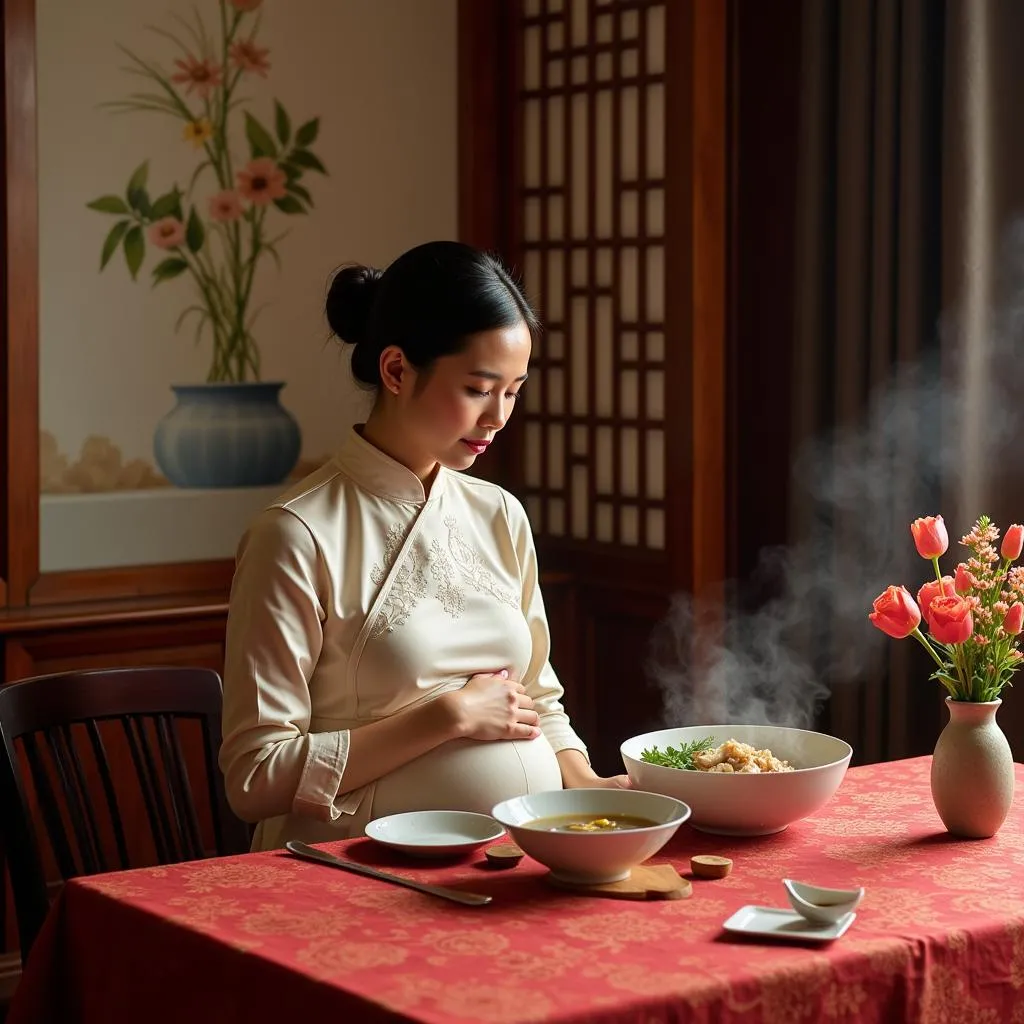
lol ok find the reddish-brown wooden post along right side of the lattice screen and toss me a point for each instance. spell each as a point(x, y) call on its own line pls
point(696, 214)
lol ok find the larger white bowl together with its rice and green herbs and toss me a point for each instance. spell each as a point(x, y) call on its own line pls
point(740, 780)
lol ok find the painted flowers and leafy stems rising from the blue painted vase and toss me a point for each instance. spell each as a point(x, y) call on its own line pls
point(218, 229)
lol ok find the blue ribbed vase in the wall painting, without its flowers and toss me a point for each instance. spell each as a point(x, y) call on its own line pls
point(228, 436)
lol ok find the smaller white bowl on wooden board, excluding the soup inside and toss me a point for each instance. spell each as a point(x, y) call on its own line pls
point(591, 859)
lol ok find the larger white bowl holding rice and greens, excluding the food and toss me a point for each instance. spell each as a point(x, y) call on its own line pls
point(746, 805)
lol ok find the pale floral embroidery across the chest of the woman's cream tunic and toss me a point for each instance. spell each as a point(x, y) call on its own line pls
point(451, 570)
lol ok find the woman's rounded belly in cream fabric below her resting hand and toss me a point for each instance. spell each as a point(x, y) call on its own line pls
point(466, 776)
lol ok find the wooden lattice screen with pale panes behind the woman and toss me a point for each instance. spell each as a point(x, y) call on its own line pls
point(590, 239)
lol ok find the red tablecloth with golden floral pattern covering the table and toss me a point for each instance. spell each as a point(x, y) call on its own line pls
point(940, 936)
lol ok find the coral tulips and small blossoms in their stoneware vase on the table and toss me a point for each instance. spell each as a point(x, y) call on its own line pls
point(974, 620)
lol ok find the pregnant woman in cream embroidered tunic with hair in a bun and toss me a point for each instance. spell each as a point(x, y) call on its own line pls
point(388, 646)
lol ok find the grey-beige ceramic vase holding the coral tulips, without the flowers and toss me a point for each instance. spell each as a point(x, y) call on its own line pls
point(972, 772)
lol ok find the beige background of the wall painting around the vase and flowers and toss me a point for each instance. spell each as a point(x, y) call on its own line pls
point(381, 77)
